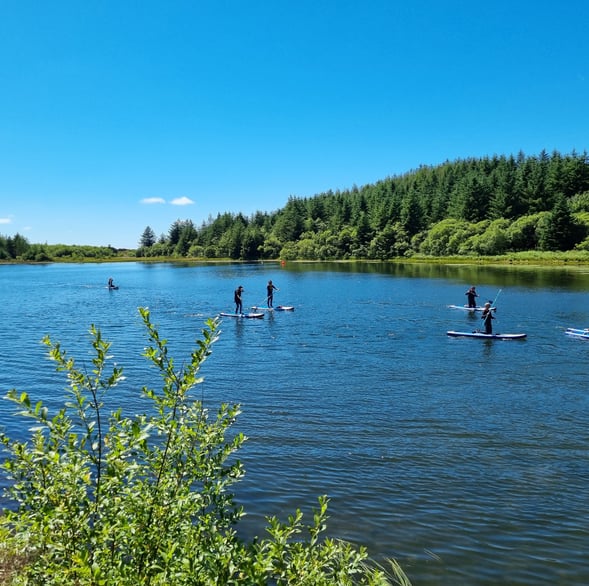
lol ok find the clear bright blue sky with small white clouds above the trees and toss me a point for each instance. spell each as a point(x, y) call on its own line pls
point(117, 115)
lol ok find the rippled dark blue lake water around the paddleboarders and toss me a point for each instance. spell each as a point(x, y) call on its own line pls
point(464, 459)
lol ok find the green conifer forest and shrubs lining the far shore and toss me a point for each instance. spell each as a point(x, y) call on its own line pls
point(469, 207)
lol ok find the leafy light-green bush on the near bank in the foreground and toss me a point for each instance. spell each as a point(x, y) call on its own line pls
point(108, 499)
